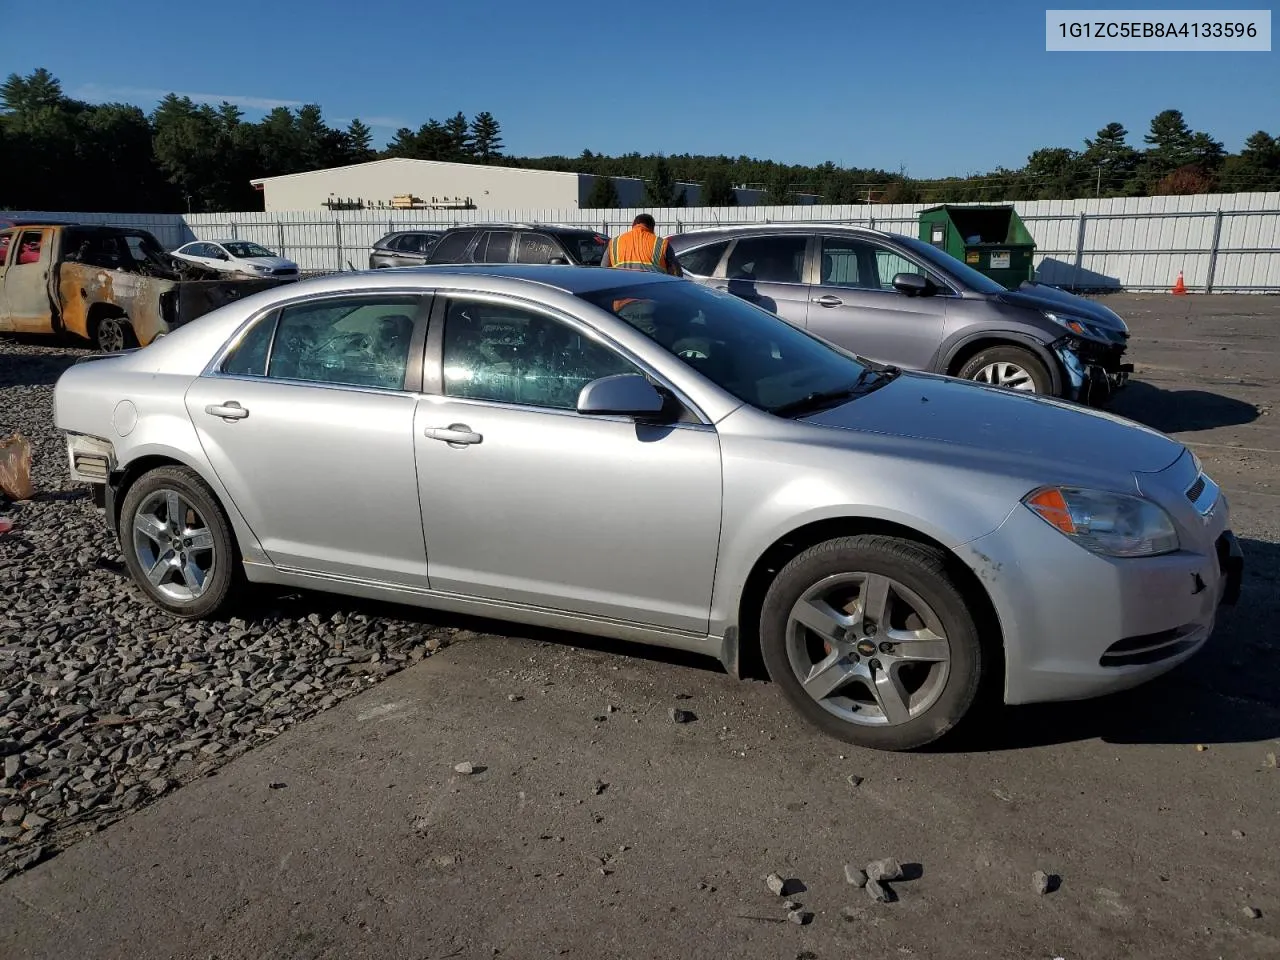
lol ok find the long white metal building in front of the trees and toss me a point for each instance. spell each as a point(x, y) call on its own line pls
point(433, 185)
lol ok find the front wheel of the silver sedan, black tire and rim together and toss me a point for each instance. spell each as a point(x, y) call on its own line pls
point(935, 694)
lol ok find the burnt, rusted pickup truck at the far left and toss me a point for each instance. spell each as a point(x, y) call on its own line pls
point(116, 287)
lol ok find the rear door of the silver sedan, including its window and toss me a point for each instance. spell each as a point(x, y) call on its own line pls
point(309, 427)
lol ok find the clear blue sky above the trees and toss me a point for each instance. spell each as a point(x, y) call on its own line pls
point(938, 88)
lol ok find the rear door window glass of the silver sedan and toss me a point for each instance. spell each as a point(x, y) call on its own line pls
point(350, 341)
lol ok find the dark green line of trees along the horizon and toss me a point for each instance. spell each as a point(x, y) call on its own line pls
point(63, 154)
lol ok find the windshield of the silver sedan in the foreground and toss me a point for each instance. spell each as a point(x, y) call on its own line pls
point(742, 349)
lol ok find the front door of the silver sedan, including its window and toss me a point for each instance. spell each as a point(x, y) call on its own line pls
point(525, 501)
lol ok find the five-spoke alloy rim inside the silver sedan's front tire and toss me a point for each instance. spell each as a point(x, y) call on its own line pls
point(868, 650)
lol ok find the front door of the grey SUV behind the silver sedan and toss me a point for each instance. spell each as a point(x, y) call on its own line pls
point(856, 307)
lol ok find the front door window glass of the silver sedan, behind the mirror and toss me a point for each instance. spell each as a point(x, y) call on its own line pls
point(509, 354)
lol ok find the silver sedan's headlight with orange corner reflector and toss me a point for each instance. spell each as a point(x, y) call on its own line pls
point(1108, 524)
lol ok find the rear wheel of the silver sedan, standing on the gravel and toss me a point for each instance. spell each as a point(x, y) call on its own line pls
point(179, 591)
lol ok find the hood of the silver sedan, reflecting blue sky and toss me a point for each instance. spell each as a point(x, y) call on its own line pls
point(1014, 427)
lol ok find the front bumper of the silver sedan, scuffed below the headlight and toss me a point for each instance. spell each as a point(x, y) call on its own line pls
point(1077, 625)
